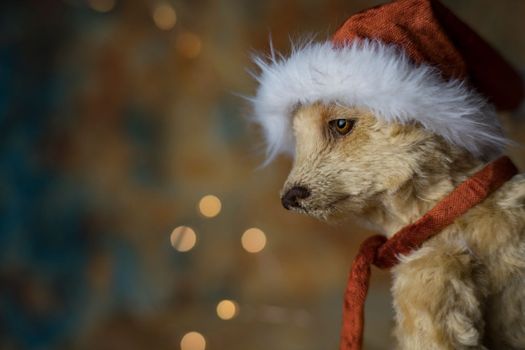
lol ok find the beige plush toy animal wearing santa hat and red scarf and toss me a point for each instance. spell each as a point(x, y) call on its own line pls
point(393, 121)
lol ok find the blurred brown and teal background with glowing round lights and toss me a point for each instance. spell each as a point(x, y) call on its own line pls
point(132, 212)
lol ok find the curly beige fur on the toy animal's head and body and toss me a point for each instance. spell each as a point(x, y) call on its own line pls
point(465, 288)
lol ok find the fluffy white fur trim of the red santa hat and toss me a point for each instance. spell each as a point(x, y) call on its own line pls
point(376, 76)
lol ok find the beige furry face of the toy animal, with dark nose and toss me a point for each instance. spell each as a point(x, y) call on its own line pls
point(346, 159)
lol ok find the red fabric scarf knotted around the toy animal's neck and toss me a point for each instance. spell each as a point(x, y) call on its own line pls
point(383, 252)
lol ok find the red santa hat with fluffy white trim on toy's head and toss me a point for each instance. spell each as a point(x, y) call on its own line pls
point(406, 61)
